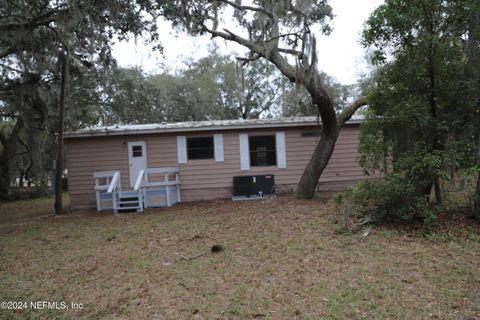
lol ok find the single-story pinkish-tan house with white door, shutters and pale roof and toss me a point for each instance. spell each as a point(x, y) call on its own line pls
point(207, 155)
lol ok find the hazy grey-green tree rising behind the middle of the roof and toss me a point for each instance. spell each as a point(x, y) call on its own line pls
point(216, 87)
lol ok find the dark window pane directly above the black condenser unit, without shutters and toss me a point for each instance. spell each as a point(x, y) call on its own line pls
point(262, 151)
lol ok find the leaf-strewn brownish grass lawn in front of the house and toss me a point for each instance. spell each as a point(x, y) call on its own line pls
point(282, 259)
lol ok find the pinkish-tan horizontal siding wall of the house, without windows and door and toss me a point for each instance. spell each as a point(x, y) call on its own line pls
point(206, 179)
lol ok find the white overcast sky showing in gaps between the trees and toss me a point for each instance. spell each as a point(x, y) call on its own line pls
point(340, 54)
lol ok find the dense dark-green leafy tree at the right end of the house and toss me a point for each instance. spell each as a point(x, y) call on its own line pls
point(421, 115)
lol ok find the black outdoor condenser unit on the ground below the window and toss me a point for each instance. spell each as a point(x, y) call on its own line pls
point(253, 186)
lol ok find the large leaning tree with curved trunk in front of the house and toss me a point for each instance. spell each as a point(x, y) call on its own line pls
point(280, 32)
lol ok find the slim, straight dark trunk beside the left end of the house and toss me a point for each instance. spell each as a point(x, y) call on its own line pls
point(61, 120)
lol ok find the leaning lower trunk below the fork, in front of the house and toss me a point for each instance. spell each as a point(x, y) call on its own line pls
point(318, 162)
